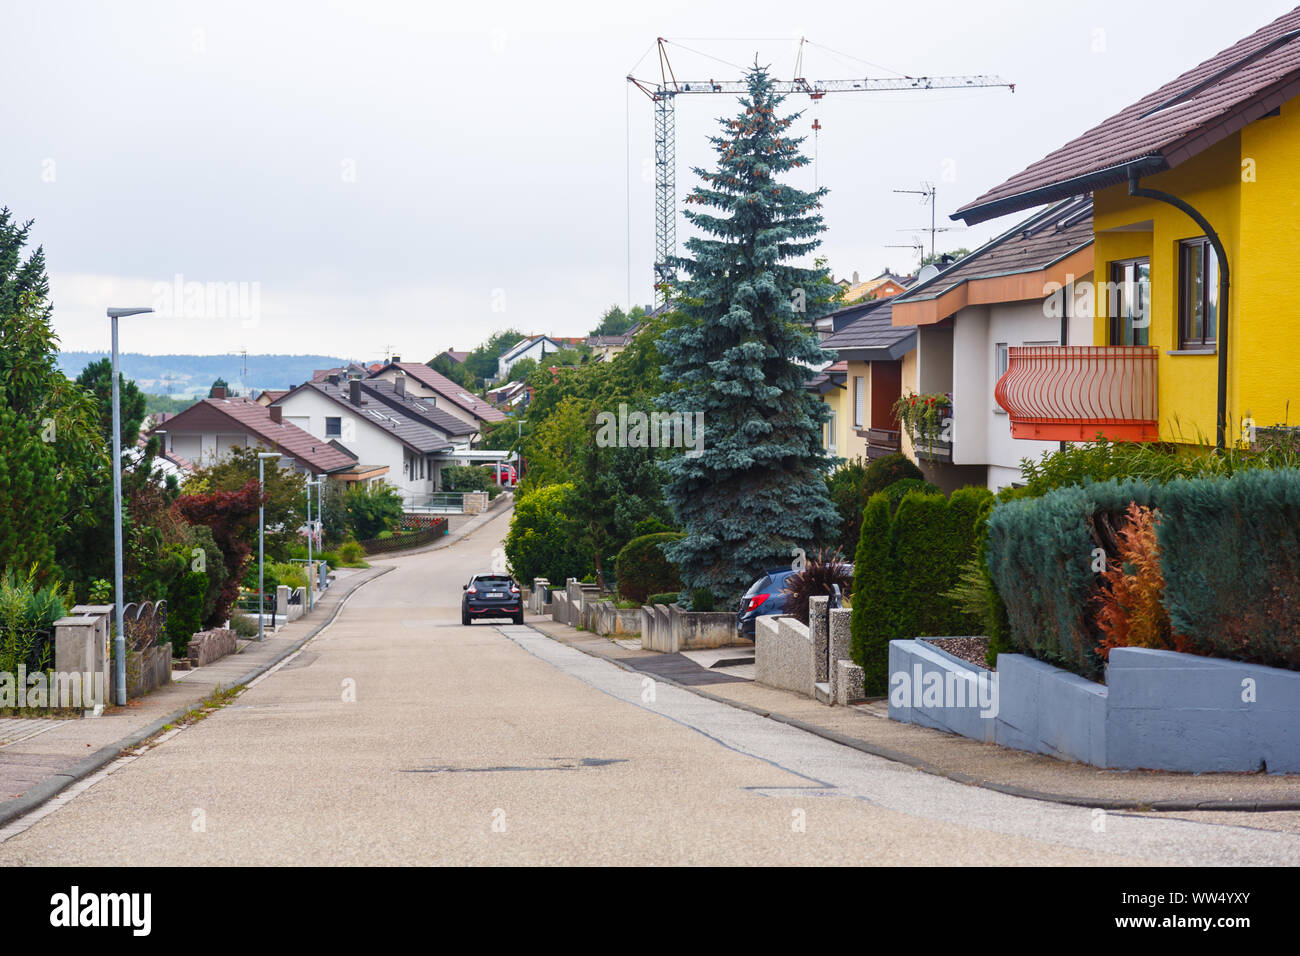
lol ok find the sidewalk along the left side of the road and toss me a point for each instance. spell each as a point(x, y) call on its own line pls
point(41, 758)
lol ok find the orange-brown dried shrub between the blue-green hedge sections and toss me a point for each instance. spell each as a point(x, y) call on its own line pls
point(1130, 611)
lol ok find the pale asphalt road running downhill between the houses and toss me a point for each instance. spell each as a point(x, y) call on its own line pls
point(400, 737)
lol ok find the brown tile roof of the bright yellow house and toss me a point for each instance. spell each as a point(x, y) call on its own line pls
point(1180, 120)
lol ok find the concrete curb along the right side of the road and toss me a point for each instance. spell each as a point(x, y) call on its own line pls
point(925, 767)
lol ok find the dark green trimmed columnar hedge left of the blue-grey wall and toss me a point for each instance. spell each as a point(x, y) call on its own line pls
point(908, 561)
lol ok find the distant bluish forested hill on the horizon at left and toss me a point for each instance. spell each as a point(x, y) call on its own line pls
point(193, 375)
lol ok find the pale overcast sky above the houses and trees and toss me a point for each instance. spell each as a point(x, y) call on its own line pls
point(418, 176)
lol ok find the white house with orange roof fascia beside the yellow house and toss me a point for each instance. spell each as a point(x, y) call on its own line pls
point(1016, 291)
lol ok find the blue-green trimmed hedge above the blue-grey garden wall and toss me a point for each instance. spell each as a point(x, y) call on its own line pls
point(1230, 553)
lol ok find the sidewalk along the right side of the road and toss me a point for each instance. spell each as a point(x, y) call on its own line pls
point(868, 728)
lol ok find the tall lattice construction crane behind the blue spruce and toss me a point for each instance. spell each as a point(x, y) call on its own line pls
point(665, 93)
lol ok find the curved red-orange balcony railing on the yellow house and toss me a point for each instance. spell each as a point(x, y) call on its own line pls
point(1072, 393)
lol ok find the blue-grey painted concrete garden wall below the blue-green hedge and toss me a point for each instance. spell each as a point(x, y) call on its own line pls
point(1159, 711)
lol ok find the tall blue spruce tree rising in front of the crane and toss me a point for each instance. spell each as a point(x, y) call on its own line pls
point(740, 356)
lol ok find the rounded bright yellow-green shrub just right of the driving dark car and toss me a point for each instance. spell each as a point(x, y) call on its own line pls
point(541, 542)
